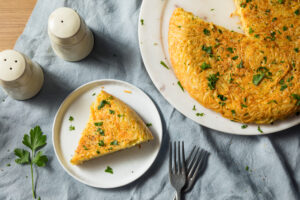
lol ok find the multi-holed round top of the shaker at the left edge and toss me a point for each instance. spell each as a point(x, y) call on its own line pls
point(12, 65)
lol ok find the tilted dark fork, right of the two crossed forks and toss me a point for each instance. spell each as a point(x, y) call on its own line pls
point(195, 164)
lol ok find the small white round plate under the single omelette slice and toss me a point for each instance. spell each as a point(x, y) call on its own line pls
point(127, 165)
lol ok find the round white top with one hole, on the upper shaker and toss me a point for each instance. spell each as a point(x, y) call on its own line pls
point(64, 22)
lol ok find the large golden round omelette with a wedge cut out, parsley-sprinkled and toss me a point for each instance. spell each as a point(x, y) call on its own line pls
point(248, 78)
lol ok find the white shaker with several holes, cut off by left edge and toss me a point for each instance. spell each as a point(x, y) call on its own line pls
point(20, 77)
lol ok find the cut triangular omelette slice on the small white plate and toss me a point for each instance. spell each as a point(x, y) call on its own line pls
point(112, 126)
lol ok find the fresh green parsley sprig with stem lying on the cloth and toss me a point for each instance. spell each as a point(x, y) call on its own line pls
point(34, 141)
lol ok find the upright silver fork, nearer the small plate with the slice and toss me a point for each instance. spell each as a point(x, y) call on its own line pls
point(178, 173)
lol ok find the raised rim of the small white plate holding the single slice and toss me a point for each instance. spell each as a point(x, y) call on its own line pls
point(159, 132)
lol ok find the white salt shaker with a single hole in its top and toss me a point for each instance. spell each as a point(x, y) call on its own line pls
point(70, 37)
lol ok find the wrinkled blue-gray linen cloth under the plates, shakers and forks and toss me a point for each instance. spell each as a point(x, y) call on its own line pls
point(273, 160)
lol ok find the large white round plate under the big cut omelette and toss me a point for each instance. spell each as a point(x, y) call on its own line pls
point(153, 38)
